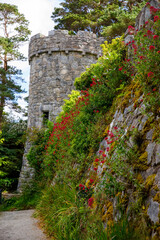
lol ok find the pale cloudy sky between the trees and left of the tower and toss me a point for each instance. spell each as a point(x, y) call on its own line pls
point(38, 13)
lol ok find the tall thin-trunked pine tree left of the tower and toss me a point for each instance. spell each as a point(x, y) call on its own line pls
point(14, 31)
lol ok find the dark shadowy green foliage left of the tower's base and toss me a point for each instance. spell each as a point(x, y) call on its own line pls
point(11, 152)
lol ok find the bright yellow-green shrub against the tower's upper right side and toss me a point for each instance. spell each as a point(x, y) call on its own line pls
point(106, 68)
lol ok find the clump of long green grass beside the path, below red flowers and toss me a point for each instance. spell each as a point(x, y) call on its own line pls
point(66, 216)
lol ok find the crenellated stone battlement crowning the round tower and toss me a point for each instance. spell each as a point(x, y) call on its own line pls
point(61, 41)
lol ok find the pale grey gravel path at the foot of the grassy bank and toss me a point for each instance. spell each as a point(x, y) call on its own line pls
point(19, 225)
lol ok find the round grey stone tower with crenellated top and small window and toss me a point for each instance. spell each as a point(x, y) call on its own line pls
point(55, 62)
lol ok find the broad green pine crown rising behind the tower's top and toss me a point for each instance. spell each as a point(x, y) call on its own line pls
point(103, 17)
